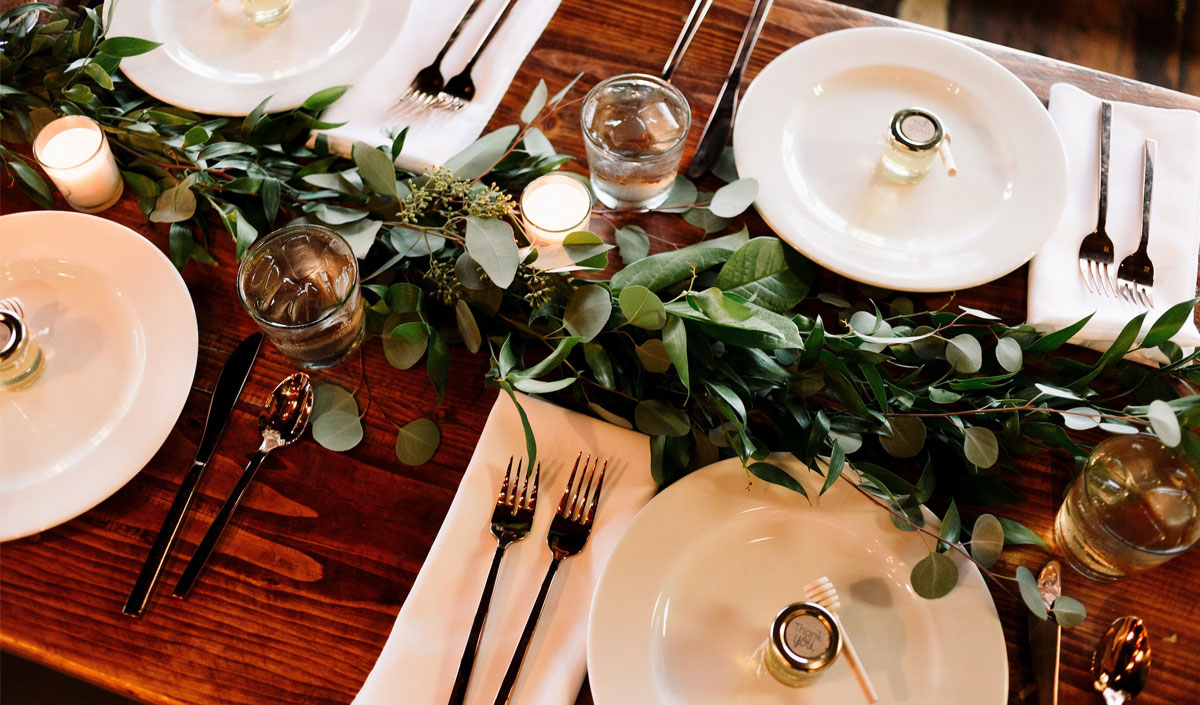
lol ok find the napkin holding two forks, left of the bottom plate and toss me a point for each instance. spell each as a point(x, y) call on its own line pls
point(421, 660)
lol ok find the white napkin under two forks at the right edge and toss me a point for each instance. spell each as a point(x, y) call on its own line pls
point(1058, 297)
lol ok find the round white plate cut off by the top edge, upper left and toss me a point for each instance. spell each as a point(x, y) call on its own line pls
point(214, 61)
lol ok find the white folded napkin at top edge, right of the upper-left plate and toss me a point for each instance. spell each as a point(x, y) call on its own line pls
point(436, 136)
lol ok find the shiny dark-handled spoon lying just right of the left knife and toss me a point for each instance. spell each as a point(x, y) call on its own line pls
point(283, 420)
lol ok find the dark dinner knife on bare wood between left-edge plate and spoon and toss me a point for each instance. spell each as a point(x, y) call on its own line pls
point(230, 384)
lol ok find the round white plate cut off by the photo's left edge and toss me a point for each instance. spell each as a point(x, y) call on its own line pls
point(118, 330)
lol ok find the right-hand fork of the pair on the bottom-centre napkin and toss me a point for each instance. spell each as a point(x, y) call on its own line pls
point(569, 533)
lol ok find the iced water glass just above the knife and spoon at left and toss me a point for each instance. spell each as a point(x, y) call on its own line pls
point(301, 285)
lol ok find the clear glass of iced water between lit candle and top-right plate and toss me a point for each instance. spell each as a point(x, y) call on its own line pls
point(635, 126)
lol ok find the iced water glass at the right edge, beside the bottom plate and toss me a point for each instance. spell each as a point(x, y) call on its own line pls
point(1135, 507)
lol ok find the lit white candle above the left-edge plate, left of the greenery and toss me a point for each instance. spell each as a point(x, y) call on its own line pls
point(76, 156)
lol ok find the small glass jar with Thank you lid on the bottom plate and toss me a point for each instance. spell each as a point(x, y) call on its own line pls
point(805, 642)
